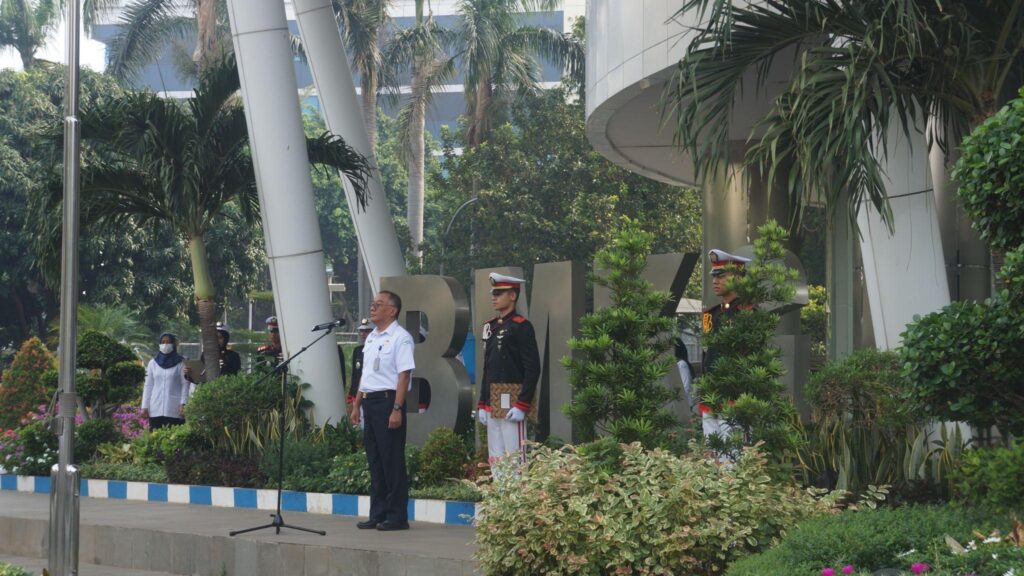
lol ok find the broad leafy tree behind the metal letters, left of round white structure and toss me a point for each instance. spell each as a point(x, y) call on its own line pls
point(547, 196)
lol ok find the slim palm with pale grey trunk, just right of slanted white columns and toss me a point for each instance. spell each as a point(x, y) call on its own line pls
point(421, 51)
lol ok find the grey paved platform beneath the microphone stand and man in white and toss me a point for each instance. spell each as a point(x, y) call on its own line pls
point(190, 540)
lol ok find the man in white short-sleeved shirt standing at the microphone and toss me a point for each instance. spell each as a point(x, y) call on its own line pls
point(388, 372)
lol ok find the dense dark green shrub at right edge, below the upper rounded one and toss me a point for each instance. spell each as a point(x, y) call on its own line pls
point(966, 363)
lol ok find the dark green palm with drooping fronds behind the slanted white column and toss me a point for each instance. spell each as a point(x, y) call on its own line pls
point(182, 163)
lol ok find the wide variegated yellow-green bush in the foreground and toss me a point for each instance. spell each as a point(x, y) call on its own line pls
point(657, 514)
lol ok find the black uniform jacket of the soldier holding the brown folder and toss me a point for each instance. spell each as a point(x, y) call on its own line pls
point(510, 356)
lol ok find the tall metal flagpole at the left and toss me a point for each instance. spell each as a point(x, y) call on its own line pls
point(65, 476)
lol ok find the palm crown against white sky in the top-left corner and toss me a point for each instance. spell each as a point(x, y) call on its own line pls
point(25, 25)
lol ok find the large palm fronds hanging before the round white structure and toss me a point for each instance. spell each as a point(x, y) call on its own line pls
point(859, 68)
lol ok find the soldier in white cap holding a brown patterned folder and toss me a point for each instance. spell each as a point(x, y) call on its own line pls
point(511, 369)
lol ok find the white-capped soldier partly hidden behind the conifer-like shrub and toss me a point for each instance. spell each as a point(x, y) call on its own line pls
point(723, 268)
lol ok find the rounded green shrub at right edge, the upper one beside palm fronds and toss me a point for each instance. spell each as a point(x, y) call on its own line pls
point(992, 179)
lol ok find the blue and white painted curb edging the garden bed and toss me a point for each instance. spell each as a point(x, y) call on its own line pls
point(436, 512)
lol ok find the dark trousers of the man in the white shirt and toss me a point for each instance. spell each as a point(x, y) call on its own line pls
point(387, 457)
